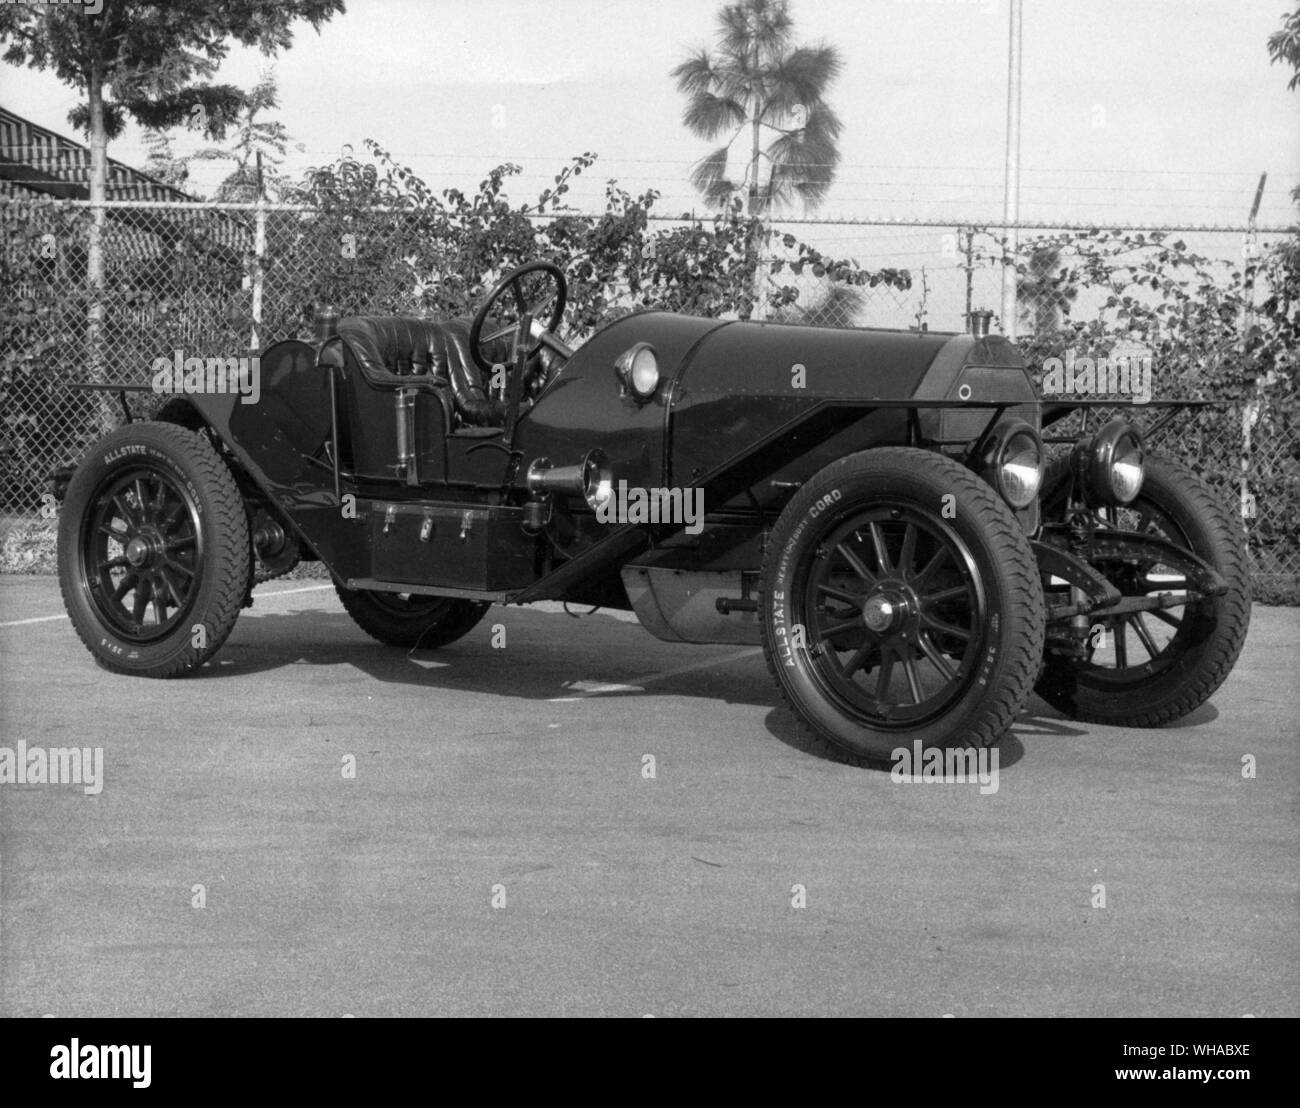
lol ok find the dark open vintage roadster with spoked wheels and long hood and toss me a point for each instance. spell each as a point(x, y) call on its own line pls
point(874, 507)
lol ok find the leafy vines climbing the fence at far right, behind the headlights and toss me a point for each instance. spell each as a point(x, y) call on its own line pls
point(1214, 331)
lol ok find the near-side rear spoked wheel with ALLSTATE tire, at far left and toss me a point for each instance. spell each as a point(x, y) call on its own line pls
point(153, 551)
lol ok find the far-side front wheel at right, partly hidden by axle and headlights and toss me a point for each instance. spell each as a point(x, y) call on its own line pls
point(1191, 660)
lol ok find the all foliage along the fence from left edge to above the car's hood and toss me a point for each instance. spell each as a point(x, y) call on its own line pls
point(370, 237)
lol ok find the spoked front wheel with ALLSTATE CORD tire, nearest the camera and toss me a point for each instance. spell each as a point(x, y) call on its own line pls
point(964, 587)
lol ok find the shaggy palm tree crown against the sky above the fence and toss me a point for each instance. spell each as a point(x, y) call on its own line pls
point(760, 85)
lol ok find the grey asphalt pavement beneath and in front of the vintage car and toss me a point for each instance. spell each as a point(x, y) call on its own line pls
point(565, 817)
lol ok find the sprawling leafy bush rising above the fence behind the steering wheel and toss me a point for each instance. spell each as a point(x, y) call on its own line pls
point(378, 239)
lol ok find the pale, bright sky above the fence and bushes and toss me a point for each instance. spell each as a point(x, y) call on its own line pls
point(1134, 110)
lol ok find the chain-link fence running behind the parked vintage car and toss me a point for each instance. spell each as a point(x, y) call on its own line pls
point(226, 282)
